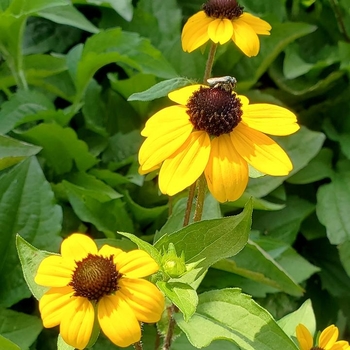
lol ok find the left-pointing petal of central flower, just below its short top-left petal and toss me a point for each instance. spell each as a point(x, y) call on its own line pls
point(168, 118)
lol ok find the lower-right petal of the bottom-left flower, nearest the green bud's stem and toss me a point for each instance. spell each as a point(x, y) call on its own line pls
point(144, 298)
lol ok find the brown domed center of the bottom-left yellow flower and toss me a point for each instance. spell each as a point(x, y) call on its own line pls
point(94, 277)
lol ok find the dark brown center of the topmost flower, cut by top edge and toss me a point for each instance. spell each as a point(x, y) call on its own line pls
point(223, 9)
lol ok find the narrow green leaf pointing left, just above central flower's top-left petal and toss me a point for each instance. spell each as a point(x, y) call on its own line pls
point(159, 90)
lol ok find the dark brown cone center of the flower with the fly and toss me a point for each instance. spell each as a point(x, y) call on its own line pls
point(214, 110)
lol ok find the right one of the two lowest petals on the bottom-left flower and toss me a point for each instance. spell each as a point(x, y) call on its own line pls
point(118, 321)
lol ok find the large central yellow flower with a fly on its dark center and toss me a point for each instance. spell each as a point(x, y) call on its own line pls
point(214, 131)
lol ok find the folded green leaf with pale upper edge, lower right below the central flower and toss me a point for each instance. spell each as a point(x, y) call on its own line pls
point(256, 264)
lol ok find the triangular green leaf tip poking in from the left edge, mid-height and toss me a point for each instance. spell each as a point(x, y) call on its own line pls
point(13, 151)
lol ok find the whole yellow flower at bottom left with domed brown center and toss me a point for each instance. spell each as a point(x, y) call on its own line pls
point(87, 283)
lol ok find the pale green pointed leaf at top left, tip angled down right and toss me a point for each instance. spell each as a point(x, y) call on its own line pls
point(69, 15)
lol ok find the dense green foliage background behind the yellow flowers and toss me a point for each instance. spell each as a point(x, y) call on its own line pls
point(69, 139)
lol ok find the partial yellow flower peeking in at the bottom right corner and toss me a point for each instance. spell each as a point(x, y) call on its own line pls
point(327, 340)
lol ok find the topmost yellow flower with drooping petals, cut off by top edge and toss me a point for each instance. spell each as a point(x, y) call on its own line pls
point(221, 21)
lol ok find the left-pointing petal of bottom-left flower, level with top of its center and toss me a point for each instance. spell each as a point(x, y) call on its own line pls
point(54, 271)
